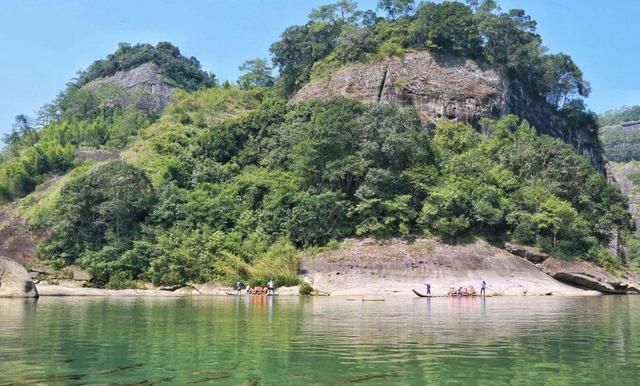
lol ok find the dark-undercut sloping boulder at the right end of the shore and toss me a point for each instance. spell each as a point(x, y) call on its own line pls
point(587, 275)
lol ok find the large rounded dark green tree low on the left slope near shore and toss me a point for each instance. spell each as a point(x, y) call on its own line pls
point(102, 207)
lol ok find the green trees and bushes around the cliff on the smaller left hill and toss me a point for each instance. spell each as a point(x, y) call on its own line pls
point(89, 117)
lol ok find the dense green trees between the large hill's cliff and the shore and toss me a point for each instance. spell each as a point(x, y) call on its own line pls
point(237, 198)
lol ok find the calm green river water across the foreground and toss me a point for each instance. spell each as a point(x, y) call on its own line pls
point(321, 341)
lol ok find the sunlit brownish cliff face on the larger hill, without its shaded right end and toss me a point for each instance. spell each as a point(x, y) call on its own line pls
point(450, 88)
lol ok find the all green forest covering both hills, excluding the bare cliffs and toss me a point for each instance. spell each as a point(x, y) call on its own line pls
point(235, 182)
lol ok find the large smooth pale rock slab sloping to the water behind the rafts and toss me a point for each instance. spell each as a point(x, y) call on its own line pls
point(369, 266)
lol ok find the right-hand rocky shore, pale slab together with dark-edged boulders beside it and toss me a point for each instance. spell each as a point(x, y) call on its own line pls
point(396, 266)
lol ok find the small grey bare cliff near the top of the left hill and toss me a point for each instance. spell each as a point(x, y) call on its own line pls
point(143, 86)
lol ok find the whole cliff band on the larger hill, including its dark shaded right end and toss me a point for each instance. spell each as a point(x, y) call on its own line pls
point(447, 87)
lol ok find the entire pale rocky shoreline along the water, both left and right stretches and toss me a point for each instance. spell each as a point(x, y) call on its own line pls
point(370, 267)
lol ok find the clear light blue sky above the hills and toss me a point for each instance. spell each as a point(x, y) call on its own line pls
point(45, 43)
